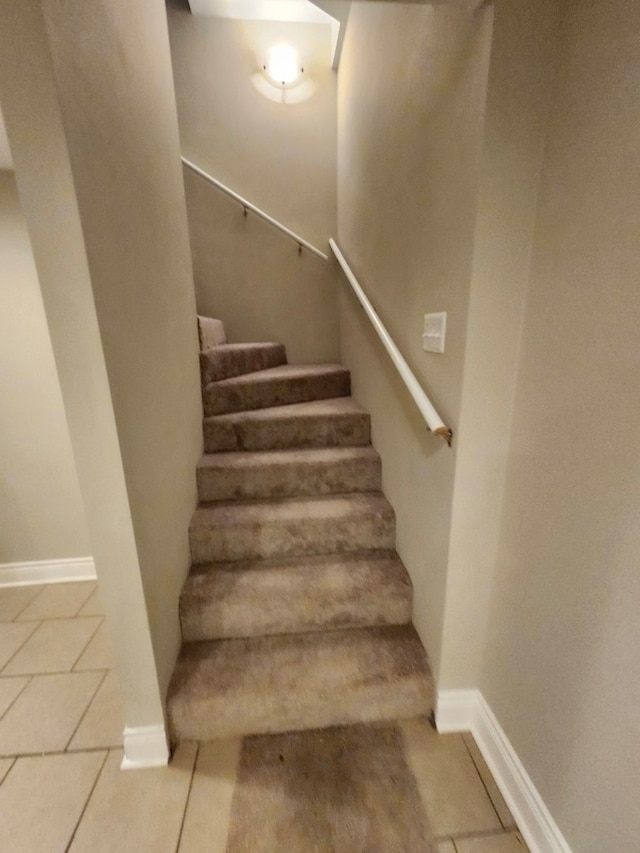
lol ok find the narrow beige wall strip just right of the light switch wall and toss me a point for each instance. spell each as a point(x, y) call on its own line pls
point(524, 55)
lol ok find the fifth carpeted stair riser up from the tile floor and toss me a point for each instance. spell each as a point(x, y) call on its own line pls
point(343, 431)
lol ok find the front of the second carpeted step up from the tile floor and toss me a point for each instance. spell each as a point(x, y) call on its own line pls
point(229, 604)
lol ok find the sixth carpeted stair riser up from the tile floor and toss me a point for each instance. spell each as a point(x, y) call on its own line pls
point(262, 394)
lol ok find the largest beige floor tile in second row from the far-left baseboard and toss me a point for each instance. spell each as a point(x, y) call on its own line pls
point(54, 647)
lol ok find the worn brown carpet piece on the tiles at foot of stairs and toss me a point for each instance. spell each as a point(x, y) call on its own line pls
point(340, 790)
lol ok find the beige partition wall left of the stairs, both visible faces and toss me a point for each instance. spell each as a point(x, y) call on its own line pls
point(89, 106)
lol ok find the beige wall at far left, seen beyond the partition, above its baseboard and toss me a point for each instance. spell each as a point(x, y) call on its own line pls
point(41, 513)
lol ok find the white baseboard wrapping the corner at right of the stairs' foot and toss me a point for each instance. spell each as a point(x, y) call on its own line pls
point(467, 710)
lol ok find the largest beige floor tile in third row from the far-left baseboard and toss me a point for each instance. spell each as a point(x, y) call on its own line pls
point(45, 715)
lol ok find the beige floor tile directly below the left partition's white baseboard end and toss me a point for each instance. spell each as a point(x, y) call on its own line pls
point(136, 810)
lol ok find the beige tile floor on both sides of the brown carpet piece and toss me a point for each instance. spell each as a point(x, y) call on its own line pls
point(60, 750)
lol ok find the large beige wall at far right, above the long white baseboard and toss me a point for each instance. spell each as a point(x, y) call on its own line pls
point(561, 665)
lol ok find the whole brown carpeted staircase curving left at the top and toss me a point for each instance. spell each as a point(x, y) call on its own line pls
point(297, 611)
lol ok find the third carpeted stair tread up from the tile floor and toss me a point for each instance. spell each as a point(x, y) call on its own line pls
point(290, 509)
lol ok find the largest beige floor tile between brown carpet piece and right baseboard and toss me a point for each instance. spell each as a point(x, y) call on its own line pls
point(451, 788)
